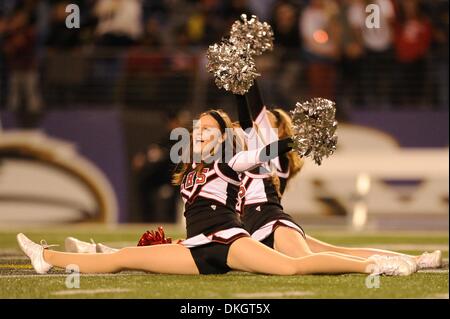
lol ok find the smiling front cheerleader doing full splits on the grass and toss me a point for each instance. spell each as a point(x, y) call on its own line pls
point(216, 239)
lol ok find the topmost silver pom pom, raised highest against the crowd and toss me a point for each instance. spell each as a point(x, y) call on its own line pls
point(256, 35)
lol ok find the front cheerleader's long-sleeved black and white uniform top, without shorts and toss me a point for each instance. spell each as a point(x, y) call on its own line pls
point(210, 192)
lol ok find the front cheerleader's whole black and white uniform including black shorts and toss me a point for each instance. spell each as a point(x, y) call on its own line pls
point(210, 195)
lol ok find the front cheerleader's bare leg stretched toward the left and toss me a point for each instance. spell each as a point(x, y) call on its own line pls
point(165, 259)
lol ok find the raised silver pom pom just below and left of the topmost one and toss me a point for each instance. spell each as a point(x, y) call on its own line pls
point(233, 67)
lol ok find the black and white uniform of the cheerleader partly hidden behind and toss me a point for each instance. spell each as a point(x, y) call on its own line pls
point(258, 202)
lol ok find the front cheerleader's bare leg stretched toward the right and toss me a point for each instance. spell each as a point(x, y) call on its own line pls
point(249, 255)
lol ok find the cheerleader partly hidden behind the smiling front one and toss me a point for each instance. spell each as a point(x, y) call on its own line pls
point(262, 213)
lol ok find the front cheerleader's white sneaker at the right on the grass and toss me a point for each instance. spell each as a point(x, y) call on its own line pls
point(390, 266)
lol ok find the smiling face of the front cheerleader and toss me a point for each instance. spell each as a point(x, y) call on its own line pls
point(206, 135)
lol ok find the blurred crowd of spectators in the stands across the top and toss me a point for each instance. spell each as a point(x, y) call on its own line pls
point(128, 52)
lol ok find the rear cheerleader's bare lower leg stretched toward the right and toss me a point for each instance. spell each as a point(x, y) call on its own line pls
point(318, 246)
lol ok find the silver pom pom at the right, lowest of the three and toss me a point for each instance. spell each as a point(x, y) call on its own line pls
point(315, 126)
